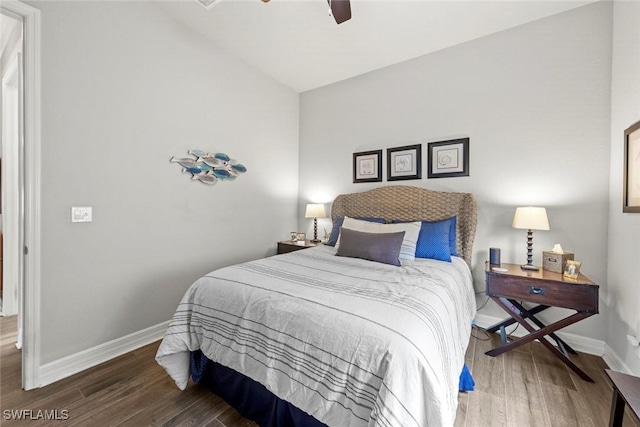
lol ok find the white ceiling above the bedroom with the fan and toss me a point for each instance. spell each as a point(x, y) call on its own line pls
point(299, 44)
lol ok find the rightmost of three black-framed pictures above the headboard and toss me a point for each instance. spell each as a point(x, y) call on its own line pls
point(448, 158)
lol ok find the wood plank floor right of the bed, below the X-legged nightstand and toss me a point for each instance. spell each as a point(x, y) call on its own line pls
point(529, 386)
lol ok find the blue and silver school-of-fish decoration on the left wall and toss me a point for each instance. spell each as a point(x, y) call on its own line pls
point(209, 168)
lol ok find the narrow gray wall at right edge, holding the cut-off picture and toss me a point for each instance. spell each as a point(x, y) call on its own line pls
point(624, 228)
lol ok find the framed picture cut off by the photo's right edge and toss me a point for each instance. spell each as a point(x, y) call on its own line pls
point(631, 182)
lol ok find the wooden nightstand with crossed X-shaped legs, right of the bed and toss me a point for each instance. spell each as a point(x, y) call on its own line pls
point(546, 289)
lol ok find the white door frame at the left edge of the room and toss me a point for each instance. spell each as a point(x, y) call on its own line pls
point(30, 310)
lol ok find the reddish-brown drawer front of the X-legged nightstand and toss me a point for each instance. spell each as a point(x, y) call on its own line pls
point(575, 296)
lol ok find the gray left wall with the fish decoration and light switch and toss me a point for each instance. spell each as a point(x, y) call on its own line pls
point(125, 88)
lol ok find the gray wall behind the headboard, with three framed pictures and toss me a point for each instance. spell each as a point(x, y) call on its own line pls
point(535, 101)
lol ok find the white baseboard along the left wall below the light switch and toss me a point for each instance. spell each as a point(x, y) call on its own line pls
point(72, 364)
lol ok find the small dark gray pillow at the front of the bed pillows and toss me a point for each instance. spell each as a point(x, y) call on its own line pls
point(378, 247)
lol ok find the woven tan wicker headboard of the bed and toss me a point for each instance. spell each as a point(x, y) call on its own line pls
point(406, 203)
